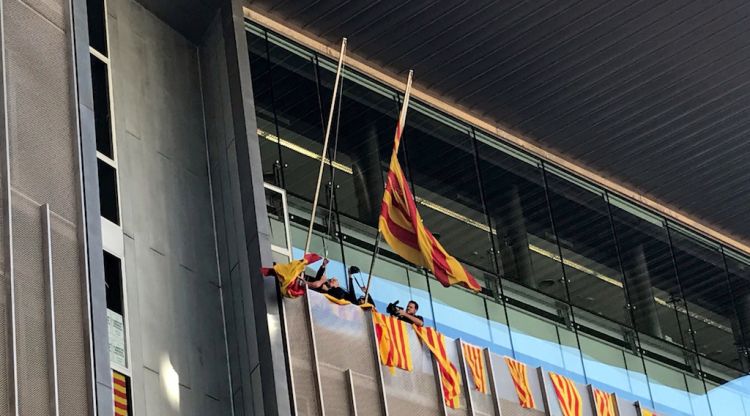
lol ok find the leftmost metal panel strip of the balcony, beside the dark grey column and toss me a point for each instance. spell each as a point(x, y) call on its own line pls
point(303, 378)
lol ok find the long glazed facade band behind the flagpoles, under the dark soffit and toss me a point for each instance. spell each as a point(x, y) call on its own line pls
point(574, 279)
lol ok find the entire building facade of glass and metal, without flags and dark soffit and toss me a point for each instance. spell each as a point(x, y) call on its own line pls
point(156, 156)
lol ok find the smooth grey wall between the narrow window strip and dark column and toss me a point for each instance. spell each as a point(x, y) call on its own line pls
point(172, 282)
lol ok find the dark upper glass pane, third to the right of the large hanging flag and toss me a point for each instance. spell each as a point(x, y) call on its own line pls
point(588, 247)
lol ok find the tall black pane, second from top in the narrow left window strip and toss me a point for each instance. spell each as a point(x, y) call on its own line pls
point(102, 116)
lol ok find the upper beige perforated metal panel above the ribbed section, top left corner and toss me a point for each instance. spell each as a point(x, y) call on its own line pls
point(42, 141)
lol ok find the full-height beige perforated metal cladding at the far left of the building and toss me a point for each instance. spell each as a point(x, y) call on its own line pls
point(44, 170)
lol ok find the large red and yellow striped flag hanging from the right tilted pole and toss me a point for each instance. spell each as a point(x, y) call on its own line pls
point(401, 224)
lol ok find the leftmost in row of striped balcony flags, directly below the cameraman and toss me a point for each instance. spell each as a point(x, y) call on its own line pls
point(393, 342)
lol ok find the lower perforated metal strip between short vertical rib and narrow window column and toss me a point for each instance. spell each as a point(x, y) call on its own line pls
point(70, 332)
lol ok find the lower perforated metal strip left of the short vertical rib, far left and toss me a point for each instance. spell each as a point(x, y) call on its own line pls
point(31, 324)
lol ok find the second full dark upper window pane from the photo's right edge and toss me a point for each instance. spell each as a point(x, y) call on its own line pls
point(653, 291)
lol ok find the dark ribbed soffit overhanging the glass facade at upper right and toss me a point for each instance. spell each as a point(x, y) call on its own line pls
point(655, 95)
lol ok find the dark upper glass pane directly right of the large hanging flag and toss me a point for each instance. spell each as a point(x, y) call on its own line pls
point(440, 160)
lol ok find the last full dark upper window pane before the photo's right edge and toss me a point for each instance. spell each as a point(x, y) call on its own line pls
point(700, 268)
